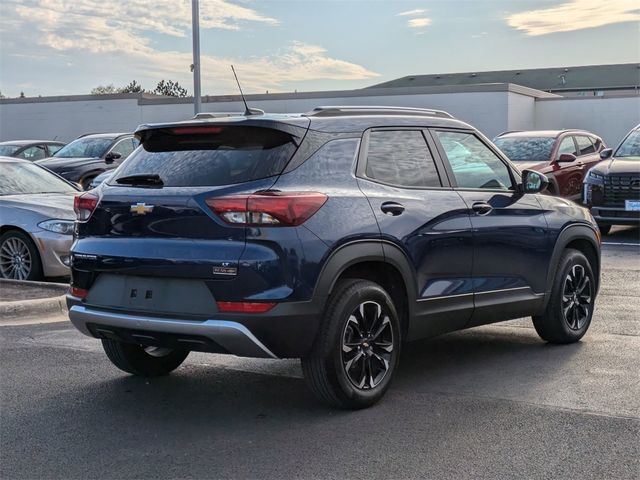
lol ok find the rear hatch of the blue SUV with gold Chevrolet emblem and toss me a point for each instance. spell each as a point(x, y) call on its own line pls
point(152, 239)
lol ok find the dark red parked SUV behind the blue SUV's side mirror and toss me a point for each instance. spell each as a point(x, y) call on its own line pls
point(564, 156)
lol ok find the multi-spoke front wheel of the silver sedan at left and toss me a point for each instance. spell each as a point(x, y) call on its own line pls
point(19, 257)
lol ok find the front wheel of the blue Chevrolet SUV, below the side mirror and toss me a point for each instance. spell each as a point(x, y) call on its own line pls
point(564, 320)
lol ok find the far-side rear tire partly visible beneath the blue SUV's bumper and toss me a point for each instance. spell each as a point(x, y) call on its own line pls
point(141, 361)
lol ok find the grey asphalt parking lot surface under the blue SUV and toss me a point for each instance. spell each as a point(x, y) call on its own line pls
point(492, 402)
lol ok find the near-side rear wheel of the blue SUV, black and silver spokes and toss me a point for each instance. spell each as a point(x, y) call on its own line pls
point(355, 306)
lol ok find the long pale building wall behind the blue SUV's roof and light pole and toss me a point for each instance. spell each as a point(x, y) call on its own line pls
point(67, 119)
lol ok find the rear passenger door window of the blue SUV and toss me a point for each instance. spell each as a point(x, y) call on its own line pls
point(402, 158)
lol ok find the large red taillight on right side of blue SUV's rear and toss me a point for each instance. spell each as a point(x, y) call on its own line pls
point(275, 209)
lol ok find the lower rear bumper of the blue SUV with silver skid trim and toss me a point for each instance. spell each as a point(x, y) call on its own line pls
point(287, 331)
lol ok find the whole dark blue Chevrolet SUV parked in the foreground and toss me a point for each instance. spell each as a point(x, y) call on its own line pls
point(332, 236)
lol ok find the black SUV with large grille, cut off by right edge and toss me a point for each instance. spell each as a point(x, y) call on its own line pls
point(612, 188)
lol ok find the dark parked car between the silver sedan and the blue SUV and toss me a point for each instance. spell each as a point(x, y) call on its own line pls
point(88, 156)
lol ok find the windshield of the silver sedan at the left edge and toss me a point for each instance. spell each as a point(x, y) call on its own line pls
point(27, 178)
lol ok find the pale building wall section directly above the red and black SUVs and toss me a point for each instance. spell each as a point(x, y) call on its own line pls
point(609, 117)
